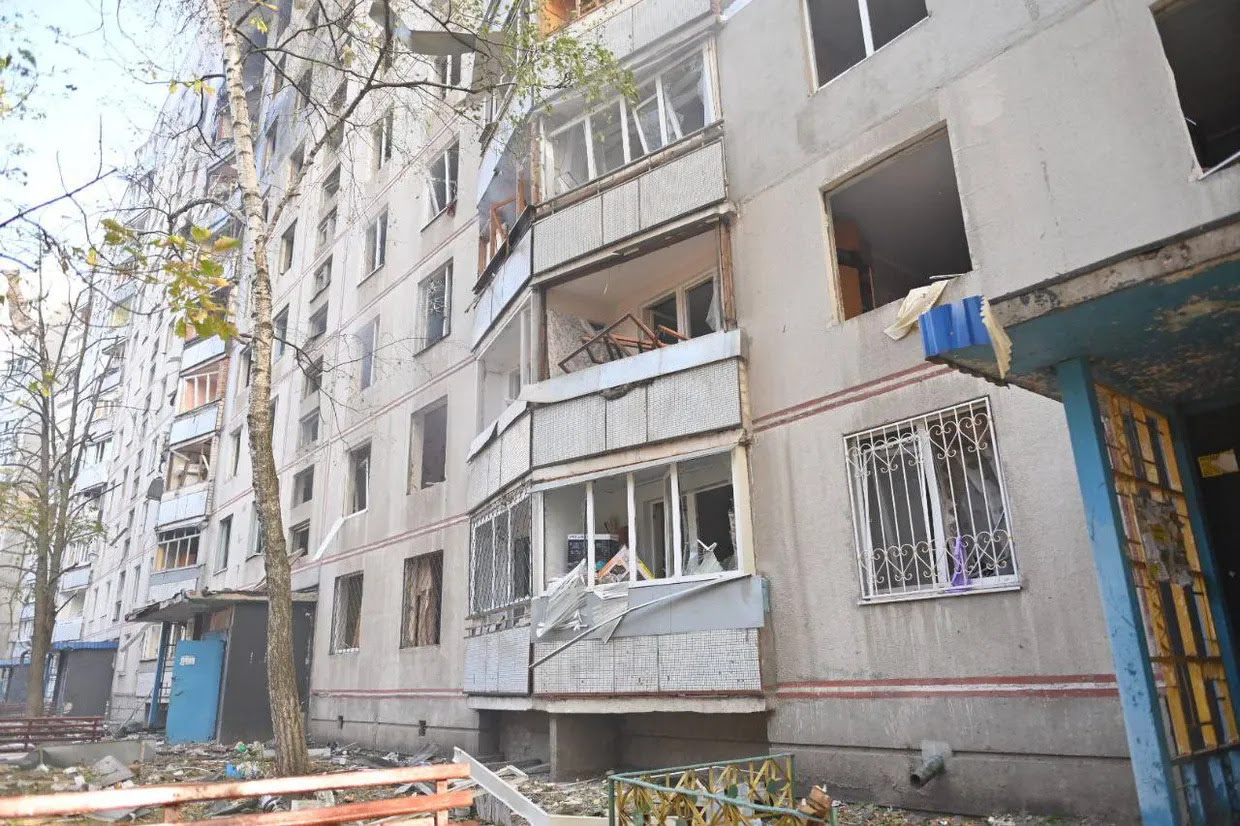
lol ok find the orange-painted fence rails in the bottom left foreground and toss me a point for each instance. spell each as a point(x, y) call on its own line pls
point(170, 798)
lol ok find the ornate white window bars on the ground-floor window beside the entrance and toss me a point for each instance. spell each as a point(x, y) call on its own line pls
point(931, 512)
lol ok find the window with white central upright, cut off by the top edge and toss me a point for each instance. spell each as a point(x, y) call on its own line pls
point(845, 33)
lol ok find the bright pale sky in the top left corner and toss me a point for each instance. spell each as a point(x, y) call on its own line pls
point(104, 73)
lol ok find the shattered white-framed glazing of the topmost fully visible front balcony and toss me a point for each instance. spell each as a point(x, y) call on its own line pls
point(674, 104)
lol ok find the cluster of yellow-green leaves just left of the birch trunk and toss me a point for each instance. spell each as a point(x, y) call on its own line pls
point(190, 269)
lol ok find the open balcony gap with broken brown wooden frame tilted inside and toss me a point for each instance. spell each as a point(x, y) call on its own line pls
point(645, 303)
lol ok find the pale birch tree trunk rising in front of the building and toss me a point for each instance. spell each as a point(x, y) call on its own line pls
point(282, 686)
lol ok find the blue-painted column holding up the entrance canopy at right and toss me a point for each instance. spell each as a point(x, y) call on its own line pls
point(1125, 627)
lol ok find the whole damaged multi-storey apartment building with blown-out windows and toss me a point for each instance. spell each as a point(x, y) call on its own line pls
point(606, 440)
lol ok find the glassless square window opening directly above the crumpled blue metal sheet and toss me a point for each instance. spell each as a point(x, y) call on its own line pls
point(898, 228)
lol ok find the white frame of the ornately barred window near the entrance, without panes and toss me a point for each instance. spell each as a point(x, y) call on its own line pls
point(917, 431)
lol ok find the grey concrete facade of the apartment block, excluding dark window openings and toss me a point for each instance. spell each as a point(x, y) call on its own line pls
point(1067, 147)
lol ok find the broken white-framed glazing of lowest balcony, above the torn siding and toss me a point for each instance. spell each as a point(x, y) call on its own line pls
point(673, 520)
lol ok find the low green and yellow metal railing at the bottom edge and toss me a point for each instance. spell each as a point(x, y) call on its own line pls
point(746, 792)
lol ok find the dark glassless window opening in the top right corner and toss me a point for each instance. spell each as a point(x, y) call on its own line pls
point(1201, 40)
